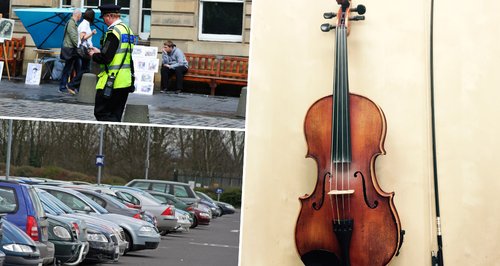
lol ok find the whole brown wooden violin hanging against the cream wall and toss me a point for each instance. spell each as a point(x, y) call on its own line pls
point(348, 219)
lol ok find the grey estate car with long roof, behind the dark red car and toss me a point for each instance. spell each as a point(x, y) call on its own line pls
point(181, 190)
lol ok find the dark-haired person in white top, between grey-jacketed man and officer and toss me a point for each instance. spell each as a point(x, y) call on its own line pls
point(85, 39)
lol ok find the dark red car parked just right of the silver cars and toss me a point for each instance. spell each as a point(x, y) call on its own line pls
point(199, 215)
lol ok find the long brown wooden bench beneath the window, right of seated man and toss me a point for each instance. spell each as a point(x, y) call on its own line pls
point(215, 70)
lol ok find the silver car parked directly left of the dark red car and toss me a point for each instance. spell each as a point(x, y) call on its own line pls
point(165, 214)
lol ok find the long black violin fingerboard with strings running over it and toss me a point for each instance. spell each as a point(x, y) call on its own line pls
point(341, 144)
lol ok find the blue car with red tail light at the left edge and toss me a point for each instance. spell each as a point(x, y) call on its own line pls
point(22, 207)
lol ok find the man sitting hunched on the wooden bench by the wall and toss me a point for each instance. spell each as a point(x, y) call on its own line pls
point(173, 62)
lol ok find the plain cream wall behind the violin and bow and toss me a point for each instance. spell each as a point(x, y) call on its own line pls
point(291, 66)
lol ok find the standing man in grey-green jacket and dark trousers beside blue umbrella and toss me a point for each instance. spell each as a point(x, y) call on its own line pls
point(70, 43)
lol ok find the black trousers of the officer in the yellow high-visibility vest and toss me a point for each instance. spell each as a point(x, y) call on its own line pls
point(111, 109)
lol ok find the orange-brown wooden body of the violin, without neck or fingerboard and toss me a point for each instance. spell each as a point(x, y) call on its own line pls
point(374, 235)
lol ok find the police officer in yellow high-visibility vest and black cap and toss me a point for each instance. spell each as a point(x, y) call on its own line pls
point(115, 80)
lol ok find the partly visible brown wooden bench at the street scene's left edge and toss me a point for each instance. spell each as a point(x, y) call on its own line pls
point(14, 55)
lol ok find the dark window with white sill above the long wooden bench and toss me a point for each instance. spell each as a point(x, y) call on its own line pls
point(221, 20)
